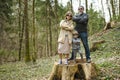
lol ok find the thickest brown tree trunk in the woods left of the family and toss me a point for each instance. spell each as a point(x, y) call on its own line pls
point(27, 53)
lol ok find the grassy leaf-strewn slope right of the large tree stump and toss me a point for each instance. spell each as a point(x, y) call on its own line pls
point(107, 56)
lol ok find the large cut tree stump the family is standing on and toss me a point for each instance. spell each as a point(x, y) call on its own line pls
point(74, 71)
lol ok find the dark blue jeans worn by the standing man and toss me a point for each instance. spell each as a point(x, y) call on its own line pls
point(84, 39)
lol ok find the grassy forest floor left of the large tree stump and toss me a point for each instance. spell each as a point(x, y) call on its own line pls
point(23, 71)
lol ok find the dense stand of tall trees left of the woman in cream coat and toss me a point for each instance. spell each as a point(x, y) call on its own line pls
point(37, 21)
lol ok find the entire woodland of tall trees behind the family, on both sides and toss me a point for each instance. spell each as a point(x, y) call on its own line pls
point(29, 29)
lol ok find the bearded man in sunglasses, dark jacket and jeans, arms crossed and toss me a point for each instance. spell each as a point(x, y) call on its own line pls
point(81, 21)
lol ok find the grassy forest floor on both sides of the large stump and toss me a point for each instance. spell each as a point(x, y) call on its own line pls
point(106, 57)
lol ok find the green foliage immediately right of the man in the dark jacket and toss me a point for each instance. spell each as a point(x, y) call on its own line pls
point(96, 22)
